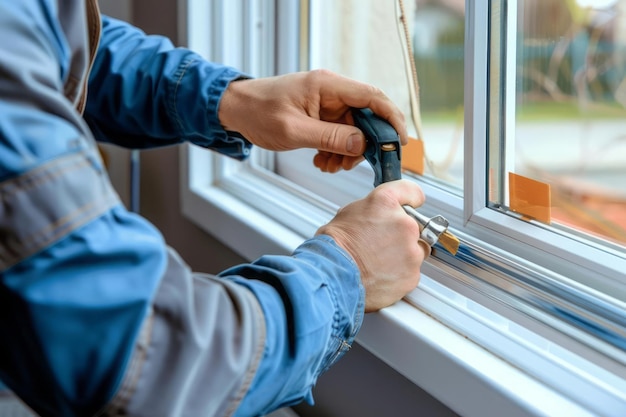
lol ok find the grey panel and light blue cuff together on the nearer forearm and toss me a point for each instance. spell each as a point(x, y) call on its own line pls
point(254, 339)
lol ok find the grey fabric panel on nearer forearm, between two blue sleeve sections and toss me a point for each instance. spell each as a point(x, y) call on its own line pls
point(203, 335)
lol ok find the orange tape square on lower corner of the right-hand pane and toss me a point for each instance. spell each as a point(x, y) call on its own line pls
point(530, 198)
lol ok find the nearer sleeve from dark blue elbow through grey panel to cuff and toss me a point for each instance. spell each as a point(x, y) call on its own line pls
point(253, 340)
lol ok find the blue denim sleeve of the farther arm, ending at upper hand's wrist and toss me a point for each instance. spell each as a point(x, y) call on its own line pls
point(144, 92)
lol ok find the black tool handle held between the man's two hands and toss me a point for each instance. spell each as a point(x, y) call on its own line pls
point(383, 149)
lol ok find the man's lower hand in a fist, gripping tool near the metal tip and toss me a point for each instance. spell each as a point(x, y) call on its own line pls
point(383, 240)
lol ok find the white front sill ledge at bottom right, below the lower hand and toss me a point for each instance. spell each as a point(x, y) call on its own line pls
point(462, 375)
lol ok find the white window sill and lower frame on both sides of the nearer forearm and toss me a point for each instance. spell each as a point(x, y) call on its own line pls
point(450, 348)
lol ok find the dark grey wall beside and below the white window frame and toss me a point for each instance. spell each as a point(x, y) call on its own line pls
point(360, 384)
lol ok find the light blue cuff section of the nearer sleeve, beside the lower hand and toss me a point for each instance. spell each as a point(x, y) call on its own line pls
point(314, 303)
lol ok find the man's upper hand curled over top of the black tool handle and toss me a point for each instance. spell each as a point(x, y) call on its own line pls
point(306, 110)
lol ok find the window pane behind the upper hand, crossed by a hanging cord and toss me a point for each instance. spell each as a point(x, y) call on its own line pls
point(363, 39)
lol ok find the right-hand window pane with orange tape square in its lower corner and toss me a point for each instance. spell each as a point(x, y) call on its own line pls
point(565, 125)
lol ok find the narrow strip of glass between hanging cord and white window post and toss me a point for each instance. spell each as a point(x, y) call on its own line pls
point(438, 44)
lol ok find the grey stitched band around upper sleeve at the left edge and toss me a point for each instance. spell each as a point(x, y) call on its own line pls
point(74, 194)
